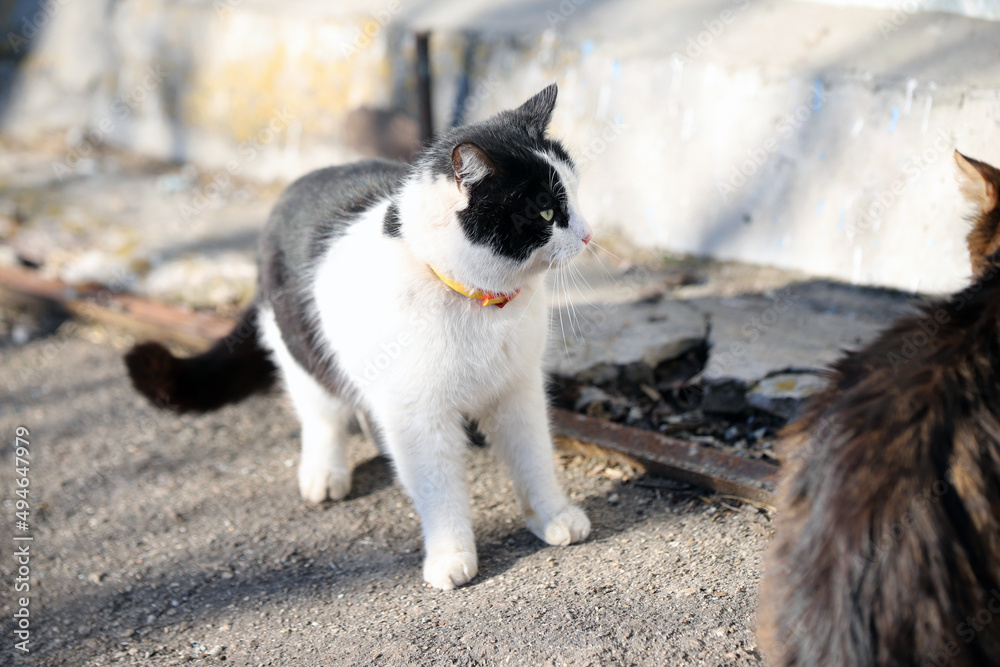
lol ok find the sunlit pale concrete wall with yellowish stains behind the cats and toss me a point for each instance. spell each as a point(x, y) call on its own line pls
point(806, 136)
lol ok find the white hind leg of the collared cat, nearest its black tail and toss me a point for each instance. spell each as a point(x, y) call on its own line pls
point(324, 471)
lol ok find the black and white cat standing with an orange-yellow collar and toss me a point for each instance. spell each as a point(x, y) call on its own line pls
point(415, 296)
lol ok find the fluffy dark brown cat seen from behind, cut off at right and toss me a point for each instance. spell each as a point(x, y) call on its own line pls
point(887, 545)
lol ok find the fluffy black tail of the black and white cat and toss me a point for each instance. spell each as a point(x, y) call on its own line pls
point(231, 370)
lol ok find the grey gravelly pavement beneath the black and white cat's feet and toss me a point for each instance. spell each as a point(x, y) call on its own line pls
point(162, 540)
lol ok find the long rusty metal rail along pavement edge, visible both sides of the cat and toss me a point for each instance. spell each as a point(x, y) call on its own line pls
point(744, 478)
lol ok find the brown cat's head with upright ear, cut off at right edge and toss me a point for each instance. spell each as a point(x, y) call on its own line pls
point(980, 184)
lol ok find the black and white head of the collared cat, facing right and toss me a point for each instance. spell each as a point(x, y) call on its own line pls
point(494, 203)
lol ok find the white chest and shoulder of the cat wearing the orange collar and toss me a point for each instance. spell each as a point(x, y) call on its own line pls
point(397, 331)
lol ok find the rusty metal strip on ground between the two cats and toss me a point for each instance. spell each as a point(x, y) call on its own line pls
point(687, 461)
